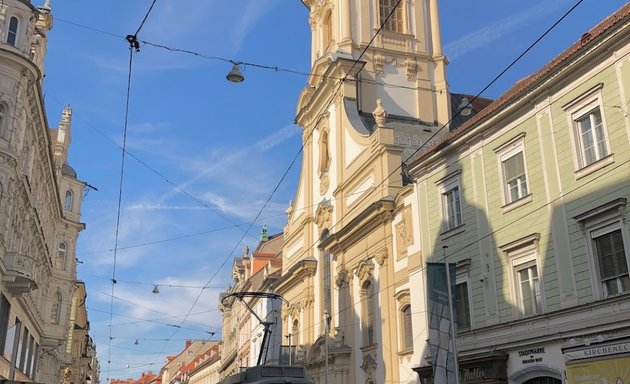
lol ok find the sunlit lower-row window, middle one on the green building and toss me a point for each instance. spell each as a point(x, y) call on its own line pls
point(526, 282)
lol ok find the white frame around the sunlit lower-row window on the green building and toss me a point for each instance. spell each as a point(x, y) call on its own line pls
point(523, 254)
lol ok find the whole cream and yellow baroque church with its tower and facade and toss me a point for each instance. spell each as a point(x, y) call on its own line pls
point(377, 93)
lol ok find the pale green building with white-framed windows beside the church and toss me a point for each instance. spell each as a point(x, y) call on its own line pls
point(531, 198)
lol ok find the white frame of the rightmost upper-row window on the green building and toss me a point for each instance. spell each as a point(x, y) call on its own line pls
point(575, 110)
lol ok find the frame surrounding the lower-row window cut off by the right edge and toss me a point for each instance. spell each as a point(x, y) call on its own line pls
point(598, 222)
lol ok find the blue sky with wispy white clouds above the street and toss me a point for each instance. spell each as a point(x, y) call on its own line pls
point(206, 154)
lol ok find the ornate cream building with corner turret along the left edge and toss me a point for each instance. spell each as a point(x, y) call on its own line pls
point(40, 204)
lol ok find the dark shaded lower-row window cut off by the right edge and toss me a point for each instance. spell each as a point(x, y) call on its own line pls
point(608, 244)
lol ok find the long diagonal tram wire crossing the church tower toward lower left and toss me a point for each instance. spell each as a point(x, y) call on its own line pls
point(339, 85)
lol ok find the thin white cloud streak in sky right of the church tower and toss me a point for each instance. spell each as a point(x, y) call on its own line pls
point(493, 32)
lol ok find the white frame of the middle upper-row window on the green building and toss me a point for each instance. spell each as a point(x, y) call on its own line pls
point(504, 152)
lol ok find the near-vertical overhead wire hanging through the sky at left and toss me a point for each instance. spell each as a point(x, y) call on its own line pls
point(133, 46)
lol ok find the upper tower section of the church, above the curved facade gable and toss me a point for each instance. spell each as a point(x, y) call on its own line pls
point(402, 65)
